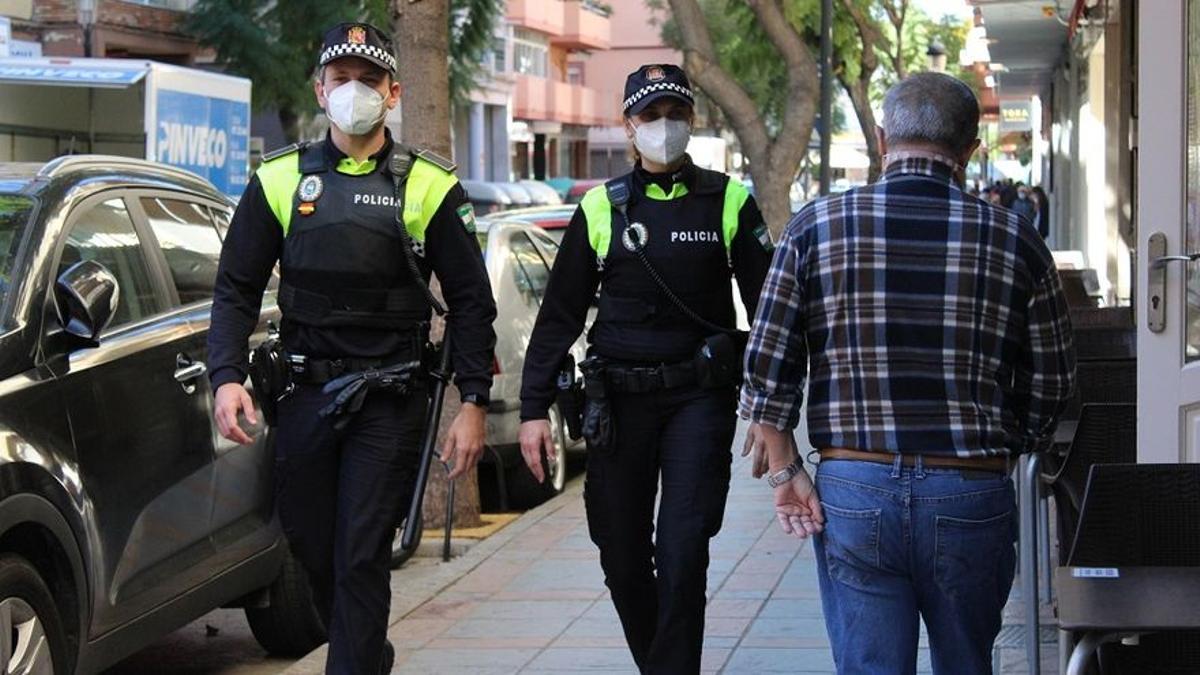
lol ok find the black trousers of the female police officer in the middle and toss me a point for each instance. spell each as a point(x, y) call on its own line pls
point(683, 437)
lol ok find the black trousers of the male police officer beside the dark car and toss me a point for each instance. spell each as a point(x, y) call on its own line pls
point(339, 495)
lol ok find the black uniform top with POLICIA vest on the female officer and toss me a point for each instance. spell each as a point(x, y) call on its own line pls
point(694, 265)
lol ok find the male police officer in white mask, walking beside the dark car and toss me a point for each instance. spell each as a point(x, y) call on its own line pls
point(328, 213)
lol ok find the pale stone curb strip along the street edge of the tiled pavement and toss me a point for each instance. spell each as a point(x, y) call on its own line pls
point(411, 592)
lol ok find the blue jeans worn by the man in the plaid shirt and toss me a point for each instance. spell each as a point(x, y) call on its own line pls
point(903, 543)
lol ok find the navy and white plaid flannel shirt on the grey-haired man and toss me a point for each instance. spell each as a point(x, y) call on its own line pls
point(932, 322)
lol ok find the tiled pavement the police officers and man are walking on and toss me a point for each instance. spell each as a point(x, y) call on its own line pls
point(532, 600)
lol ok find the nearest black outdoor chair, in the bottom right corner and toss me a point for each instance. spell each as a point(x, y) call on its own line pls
point(1133, 574)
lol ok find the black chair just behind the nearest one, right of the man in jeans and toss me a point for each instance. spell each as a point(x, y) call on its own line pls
point(1107, 434)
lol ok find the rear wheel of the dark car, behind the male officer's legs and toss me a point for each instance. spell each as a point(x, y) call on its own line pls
point(290, 624)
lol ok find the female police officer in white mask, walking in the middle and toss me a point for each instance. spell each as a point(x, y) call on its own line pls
point(670, 411)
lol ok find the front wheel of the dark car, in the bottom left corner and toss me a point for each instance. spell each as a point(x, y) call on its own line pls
point(39, 643)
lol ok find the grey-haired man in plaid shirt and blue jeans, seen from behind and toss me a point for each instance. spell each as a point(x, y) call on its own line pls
point(934, 336)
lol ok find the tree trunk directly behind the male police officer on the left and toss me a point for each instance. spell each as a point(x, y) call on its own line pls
point(423, 46)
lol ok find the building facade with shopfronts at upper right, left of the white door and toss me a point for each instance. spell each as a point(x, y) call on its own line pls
point(1076, 75)
